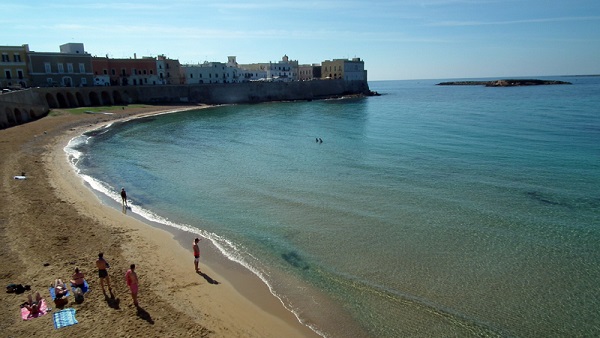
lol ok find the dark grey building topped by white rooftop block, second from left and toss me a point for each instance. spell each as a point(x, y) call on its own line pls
point(72, 67)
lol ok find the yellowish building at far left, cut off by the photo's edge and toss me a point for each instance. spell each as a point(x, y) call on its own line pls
point(13, 66)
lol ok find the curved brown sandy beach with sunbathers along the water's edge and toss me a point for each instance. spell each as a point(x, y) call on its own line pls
point(51, 223)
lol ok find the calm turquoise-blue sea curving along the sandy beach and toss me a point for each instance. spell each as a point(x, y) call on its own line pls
point(432, 211)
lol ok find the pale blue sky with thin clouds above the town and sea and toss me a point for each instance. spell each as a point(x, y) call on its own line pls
point(399, 39)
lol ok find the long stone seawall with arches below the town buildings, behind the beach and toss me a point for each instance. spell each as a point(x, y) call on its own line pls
point(22, 106)
